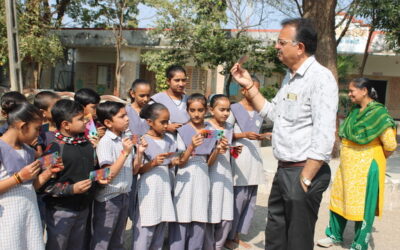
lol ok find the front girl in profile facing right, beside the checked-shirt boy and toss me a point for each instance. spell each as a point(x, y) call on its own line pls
point(154, 205)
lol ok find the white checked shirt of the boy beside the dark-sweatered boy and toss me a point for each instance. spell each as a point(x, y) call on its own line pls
point(108, 151)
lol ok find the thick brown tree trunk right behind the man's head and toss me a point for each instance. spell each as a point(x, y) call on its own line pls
point(323, 15)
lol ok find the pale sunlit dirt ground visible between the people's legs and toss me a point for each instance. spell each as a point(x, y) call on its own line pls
point(386, 230)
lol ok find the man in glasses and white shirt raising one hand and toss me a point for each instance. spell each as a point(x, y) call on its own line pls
point(304, 116)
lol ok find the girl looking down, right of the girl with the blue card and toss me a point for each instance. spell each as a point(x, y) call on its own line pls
point(220, 208)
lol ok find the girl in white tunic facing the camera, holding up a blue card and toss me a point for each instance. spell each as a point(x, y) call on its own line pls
point(192, 184)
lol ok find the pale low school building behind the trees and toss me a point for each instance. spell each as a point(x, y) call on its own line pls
point(91, 62)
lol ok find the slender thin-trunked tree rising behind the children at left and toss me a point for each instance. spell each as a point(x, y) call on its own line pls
point(112, 14)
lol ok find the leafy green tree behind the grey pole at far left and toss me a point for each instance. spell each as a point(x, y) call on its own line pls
point(38, 46)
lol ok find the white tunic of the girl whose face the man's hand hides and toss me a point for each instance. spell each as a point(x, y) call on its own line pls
point(248, 167)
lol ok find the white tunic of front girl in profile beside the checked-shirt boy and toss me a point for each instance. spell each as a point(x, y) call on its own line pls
point(154, 194)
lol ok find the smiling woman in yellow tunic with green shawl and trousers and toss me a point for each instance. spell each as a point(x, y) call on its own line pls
point(368, 137)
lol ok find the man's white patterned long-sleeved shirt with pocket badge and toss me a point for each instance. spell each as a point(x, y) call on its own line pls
point(304, 114)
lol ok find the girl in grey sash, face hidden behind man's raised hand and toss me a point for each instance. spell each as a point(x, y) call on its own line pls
point(247, 169)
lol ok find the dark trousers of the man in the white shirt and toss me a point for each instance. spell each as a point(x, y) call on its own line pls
point(292, 213)
